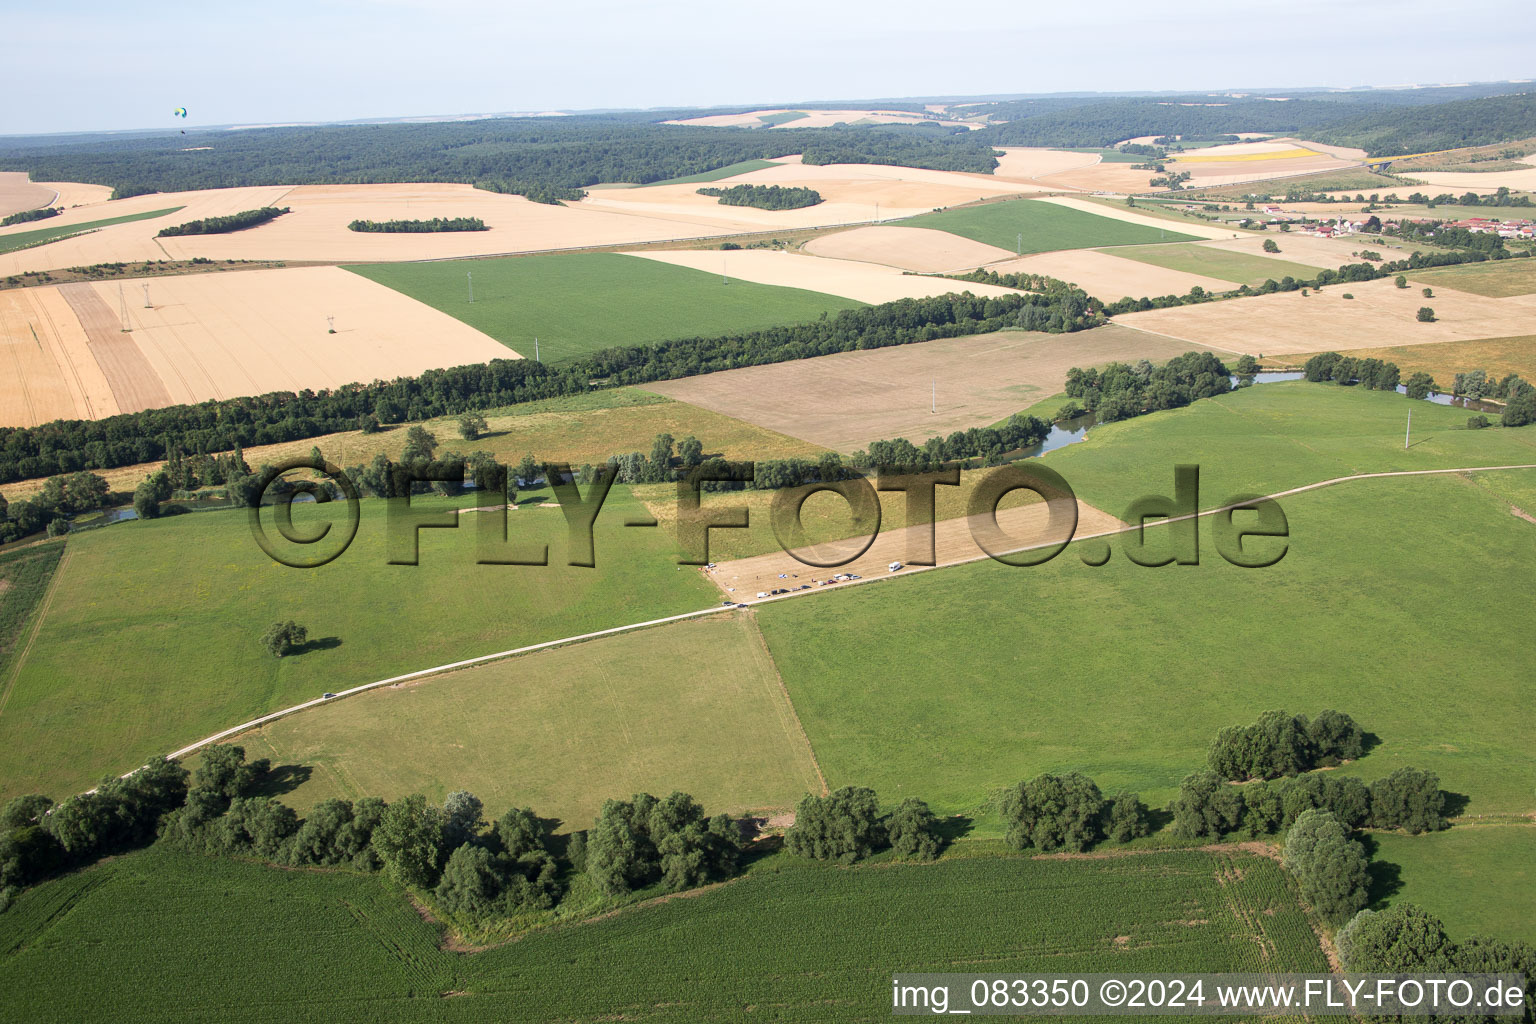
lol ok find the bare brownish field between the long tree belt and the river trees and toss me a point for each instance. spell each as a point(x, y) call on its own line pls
point(849, 400)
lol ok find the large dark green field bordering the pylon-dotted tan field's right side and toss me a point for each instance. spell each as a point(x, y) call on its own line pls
point(578, 303)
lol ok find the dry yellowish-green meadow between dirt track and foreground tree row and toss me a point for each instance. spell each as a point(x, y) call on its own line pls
point(692, 705)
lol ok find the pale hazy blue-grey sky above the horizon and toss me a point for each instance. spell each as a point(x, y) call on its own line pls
point(78, 67)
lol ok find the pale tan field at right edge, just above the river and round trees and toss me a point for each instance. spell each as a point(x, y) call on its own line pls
point(1291, 323)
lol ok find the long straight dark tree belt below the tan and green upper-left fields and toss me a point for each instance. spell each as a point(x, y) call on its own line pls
point(223, 424)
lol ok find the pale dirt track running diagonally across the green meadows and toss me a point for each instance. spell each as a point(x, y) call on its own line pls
point(907, 573)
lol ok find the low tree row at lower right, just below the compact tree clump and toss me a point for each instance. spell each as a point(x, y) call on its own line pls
point(1208, 807)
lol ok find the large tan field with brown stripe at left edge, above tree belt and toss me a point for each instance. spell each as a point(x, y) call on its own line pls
point(216, 337)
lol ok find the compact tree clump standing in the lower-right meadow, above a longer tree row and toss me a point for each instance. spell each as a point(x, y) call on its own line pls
point(1282, 745)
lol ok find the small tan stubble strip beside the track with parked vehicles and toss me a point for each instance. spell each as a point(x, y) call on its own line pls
point(1024, 526)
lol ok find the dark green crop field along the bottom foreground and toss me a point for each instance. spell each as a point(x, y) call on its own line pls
point(792, 942)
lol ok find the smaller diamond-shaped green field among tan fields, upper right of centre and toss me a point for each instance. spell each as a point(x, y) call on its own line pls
point(1045, 226)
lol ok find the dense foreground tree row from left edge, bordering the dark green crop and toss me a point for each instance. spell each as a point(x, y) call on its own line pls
point(475, 870)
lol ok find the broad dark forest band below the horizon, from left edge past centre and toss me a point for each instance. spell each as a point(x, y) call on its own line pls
point(517, 156)
